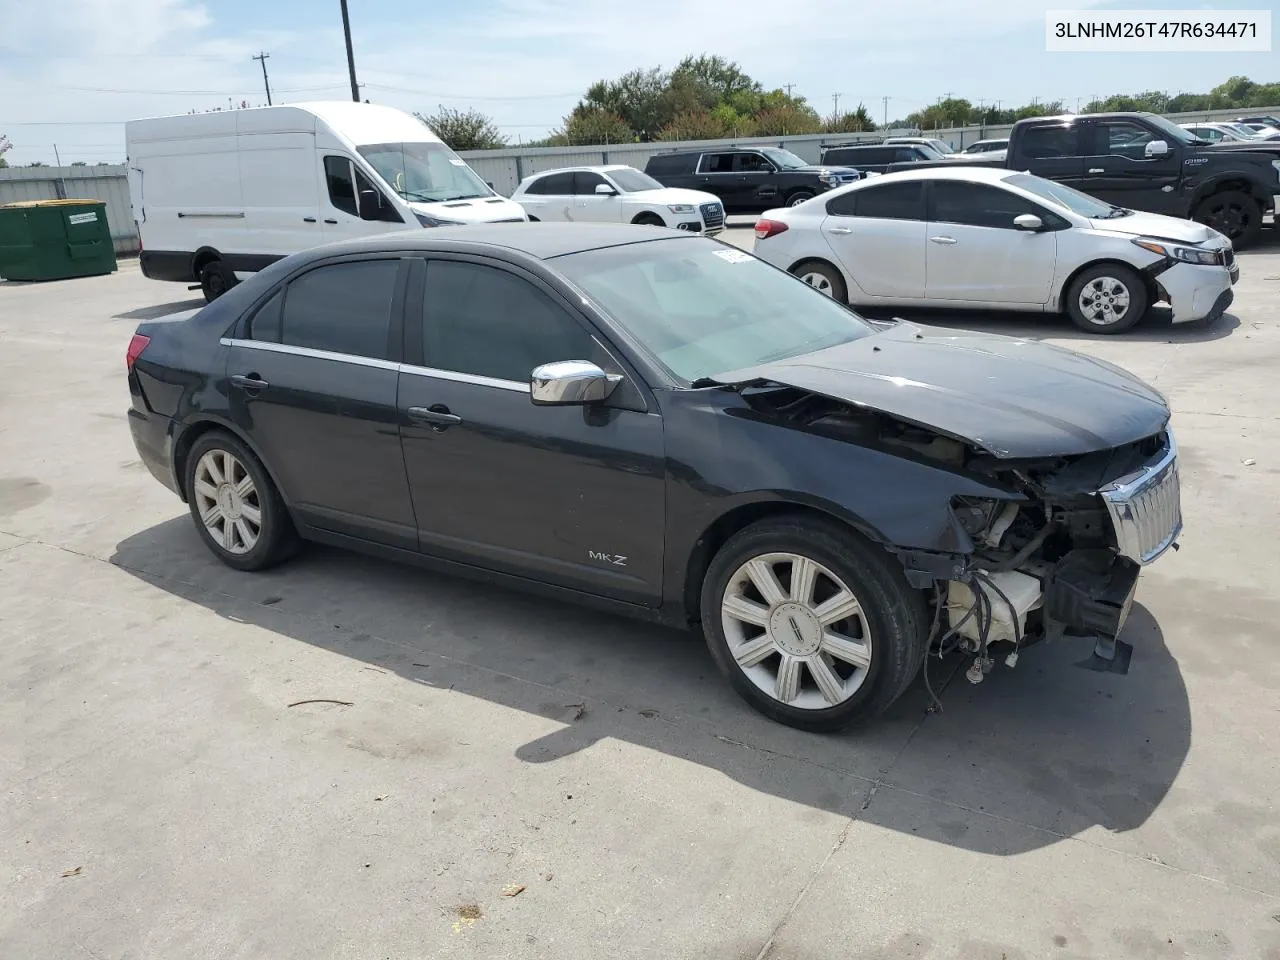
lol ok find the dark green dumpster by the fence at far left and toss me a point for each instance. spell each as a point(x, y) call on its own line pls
point(52, 240)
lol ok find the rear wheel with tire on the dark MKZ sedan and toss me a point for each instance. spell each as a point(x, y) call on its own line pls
point(237, 510)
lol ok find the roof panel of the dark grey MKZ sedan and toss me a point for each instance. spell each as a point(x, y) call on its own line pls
point(542, 241)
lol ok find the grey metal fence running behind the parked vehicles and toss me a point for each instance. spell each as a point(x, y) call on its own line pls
point(502, 168)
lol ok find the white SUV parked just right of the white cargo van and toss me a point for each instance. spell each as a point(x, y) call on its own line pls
point(618, 195)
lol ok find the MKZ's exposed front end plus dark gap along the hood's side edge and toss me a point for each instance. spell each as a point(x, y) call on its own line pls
point(1058, 557)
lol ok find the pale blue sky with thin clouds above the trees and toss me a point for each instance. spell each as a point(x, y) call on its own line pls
point(71, 79)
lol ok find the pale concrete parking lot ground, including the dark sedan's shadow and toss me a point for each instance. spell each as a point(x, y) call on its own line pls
point(345, 758)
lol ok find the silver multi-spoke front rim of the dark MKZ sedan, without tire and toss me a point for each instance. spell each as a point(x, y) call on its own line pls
point(797, 632)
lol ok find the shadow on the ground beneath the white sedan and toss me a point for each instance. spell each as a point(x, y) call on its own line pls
point(1158, 327)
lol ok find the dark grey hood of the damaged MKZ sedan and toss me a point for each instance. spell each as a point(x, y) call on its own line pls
point(1014, 399)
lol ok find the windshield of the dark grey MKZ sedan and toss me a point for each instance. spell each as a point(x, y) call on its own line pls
point(702, 308)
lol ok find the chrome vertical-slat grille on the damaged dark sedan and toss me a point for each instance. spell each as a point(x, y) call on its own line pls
point(1146, 510)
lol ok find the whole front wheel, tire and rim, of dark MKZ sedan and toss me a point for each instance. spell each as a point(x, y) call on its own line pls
point(813, 627)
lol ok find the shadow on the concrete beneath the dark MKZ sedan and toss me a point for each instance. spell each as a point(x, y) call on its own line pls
point(1046, 742)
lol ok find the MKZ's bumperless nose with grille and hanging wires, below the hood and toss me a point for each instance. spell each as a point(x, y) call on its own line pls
point(1078, 579)
